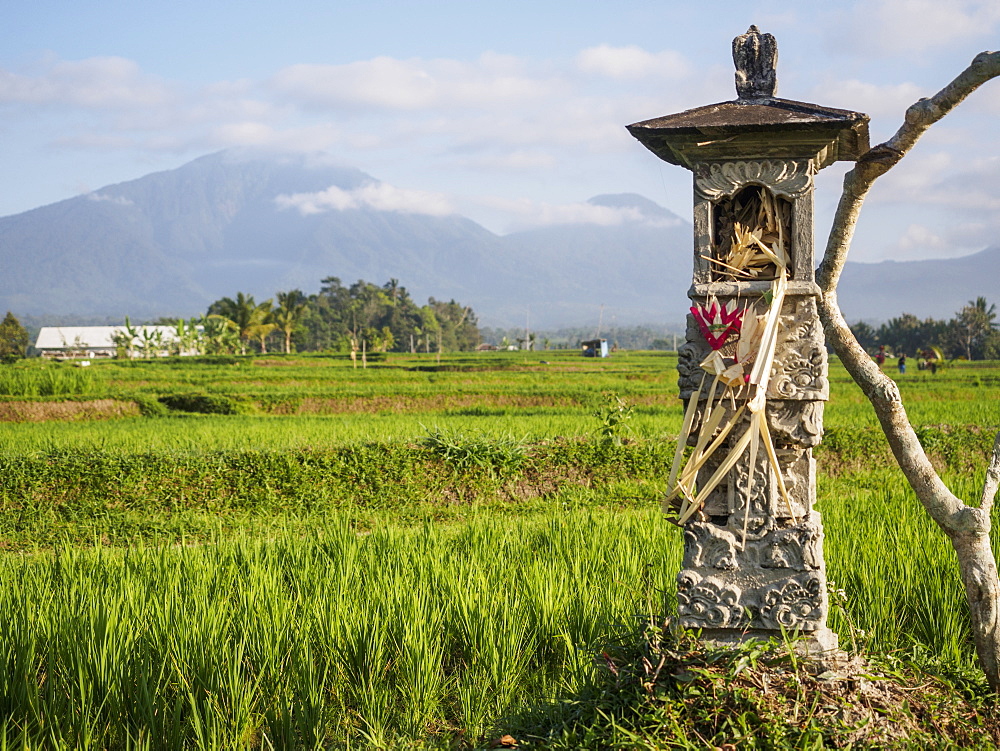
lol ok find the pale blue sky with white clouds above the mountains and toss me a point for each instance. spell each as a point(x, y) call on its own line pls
point(510, 113)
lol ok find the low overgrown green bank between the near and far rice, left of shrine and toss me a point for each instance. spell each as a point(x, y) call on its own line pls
point(82, 491)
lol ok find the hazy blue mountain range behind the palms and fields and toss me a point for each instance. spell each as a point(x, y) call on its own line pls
point(172, 242)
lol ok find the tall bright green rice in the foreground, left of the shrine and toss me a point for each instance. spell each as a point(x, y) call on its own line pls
point(339, 639)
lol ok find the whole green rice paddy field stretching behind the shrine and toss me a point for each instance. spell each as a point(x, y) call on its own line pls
point(294, 552)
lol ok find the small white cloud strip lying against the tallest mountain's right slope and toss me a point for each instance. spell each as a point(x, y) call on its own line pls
point(378, 196)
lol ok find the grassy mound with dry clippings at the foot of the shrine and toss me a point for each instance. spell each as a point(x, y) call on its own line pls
point(669, 689)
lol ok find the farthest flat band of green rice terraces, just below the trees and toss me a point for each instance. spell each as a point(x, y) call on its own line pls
point(303, 402)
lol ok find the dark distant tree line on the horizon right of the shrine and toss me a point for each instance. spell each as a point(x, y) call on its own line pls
point(972, 334)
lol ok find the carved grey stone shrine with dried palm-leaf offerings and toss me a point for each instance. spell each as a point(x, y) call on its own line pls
point(753, 369)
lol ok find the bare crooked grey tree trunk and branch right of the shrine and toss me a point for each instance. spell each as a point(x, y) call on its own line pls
point(966, 526)
